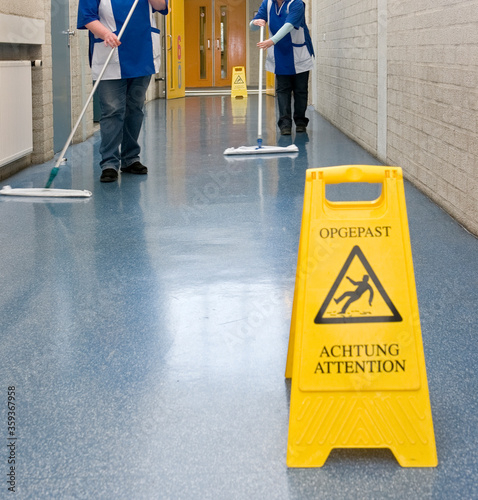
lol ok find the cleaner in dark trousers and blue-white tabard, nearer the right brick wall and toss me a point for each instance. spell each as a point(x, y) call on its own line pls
point(289, 56)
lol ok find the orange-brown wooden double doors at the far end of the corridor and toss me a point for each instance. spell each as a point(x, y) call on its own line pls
point(215, 41)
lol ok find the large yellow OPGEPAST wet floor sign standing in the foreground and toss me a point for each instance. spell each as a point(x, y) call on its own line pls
point(355, 348)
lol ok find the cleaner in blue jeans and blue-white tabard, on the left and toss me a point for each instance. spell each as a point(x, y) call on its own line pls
point(122, 90)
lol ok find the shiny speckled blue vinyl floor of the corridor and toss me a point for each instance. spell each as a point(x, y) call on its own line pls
point(145, 330)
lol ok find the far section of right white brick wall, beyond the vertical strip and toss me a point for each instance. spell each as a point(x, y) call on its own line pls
point(345, 39)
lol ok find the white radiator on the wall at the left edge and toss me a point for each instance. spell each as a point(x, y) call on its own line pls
point(16, 124)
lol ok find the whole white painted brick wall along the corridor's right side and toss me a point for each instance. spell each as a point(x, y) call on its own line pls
point(431, 89)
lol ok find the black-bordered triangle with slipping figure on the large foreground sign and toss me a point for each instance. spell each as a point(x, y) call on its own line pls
point(353, 292)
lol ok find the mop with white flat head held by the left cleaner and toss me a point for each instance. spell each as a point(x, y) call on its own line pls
point(48, 192)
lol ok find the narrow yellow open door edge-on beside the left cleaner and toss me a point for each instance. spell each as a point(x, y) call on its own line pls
point(175, 50)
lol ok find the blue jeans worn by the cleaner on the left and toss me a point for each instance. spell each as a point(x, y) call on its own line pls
point(121, 103)
